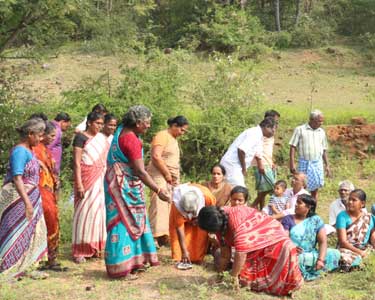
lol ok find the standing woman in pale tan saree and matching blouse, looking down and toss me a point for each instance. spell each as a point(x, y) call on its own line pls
point(164, 168)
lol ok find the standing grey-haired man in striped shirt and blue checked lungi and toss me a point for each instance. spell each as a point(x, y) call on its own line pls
point(311, 144)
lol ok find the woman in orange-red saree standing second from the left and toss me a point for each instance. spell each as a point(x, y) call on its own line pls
point(47, 184)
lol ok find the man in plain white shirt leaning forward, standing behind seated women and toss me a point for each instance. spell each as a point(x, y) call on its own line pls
point(246, 146)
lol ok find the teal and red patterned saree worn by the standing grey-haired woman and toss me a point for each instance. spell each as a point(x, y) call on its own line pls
point(130, 244)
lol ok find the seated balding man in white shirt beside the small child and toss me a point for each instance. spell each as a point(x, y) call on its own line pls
point(298, 188)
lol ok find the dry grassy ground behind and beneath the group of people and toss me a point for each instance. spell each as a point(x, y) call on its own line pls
point(339, 83)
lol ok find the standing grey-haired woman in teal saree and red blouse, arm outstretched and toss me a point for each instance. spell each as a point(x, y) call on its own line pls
point(130, 243)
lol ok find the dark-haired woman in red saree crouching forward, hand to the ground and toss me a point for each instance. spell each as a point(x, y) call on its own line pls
point(265, 259)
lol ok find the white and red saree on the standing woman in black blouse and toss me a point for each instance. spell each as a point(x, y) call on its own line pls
point(89, 231)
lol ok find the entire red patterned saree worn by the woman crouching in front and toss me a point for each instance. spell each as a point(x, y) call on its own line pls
point(271, 264)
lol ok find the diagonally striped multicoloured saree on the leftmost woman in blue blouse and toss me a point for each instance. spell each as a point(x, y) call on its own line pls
point(22, 242)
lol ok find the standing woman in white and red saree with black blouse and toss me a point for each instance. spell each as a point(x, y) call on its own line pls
point(90, 150)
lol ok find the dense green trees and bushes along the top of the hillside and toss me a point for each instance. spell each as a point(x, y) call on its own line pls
point(213, 25)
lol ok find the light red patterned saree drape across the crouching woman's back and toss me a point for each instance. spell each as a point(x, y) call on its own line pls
point(250, 230)
